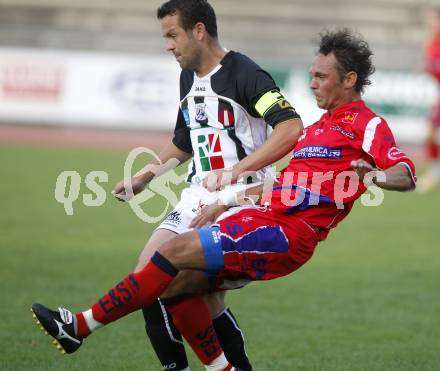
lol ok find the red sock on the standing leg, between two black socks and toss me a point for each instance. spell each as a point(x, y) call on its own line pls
point(193, 319)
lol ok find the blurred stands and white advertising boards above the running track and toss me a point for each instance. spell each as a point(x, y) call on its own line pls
point(102, 63)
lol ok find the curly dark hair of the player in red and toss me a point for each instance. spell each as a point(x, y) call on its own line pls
point(352, 53)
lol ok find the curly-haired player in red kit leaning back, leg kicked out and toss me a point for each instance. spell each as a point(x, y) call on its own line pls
point(332, 164)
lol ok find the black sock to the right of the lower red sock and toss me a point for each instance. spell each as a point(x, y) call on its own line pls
point(231, 340)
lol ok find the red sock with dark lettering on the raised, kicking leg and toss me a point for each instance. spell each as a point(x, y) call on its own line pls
point(132, 293)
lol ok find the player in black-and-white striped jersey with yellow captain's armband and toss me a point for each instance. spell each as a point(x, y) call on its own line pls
point(231, 116)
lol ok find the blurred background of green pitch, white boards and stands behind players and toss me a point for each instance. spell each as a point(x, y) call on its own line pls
point(84, 81)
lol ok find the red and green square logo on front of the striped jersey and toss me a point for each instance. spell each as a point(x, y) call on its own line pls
point(210, 152)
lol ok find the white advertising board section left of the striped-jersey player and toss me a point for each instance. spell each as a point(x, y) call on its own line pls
point(86, 89)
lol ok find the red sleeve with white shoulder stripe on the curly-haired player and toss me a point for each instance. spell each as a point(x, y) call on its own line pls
point(378, 142)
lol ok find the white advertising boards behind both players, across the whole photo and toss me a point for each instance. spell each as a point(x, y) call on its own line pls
point(141, 92)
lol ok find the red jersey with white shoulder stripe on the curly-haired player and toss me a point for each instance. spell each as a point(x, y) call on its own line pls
point(319, 184)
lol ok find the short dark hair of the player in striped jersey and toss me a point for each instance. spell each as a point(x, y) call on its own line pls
point(190, 13)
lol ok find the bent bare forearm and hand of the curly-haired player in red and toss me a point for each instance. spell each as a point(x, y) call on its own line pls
point(395, 178)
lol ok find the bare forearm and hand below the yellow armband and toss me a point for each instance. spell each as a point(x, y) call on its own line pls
point(280, 143)
